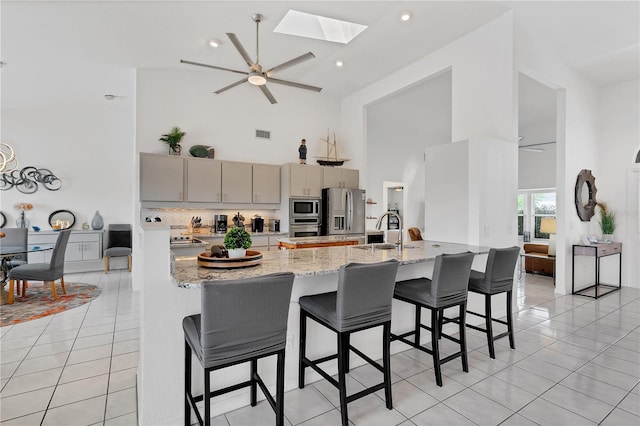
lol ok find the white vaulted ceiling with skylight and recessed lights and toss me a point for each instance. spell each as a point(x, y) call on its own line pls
point(598, 39)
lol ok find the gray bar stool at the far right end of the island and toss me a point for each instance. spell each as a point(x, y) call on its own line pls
point(497, 278)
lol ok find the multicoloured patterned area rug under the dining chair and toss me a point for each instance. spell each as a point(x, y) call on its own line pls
point(38, 302)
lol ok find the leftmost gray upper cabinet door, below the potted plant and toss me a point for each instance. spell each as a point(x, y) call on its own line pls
point(161, 177)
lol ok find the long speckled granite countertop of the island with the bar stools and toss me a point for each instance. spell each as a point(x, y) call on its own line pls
point(314, 261)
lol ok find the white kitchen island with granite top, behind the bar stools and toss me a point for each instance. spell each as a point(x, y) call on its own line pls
point(168, 297)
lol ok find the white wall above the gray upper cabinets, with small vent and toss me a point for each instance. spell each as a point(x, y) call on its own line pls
point(228, 121)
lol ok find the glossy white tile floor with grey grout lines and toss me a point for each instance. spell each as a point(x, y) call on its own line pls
point(577, 362)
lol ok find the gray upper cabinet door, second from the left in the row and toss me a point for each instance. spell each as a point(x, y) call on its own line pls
point(204, 180)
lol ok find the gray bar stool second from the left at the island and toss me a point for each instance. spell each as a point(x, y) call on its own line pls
point(363, 301)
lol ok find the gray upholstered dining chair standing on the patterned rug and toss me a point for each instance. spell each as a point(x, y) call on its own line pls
point(46, 272)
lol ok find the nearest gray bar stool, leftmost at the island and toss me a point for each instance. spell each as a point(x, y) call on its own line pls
point(241, 321)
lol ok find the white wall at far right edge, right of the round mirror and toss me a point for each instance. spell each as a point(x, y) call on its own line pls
point(617, 174)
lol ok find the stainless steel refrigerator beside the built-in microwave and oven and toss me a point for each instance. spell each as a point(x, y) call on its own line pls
point(343, 211)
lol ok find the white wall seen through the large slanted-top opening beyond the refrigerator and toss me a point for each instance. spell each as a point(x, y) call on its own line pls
point(399, 128)
